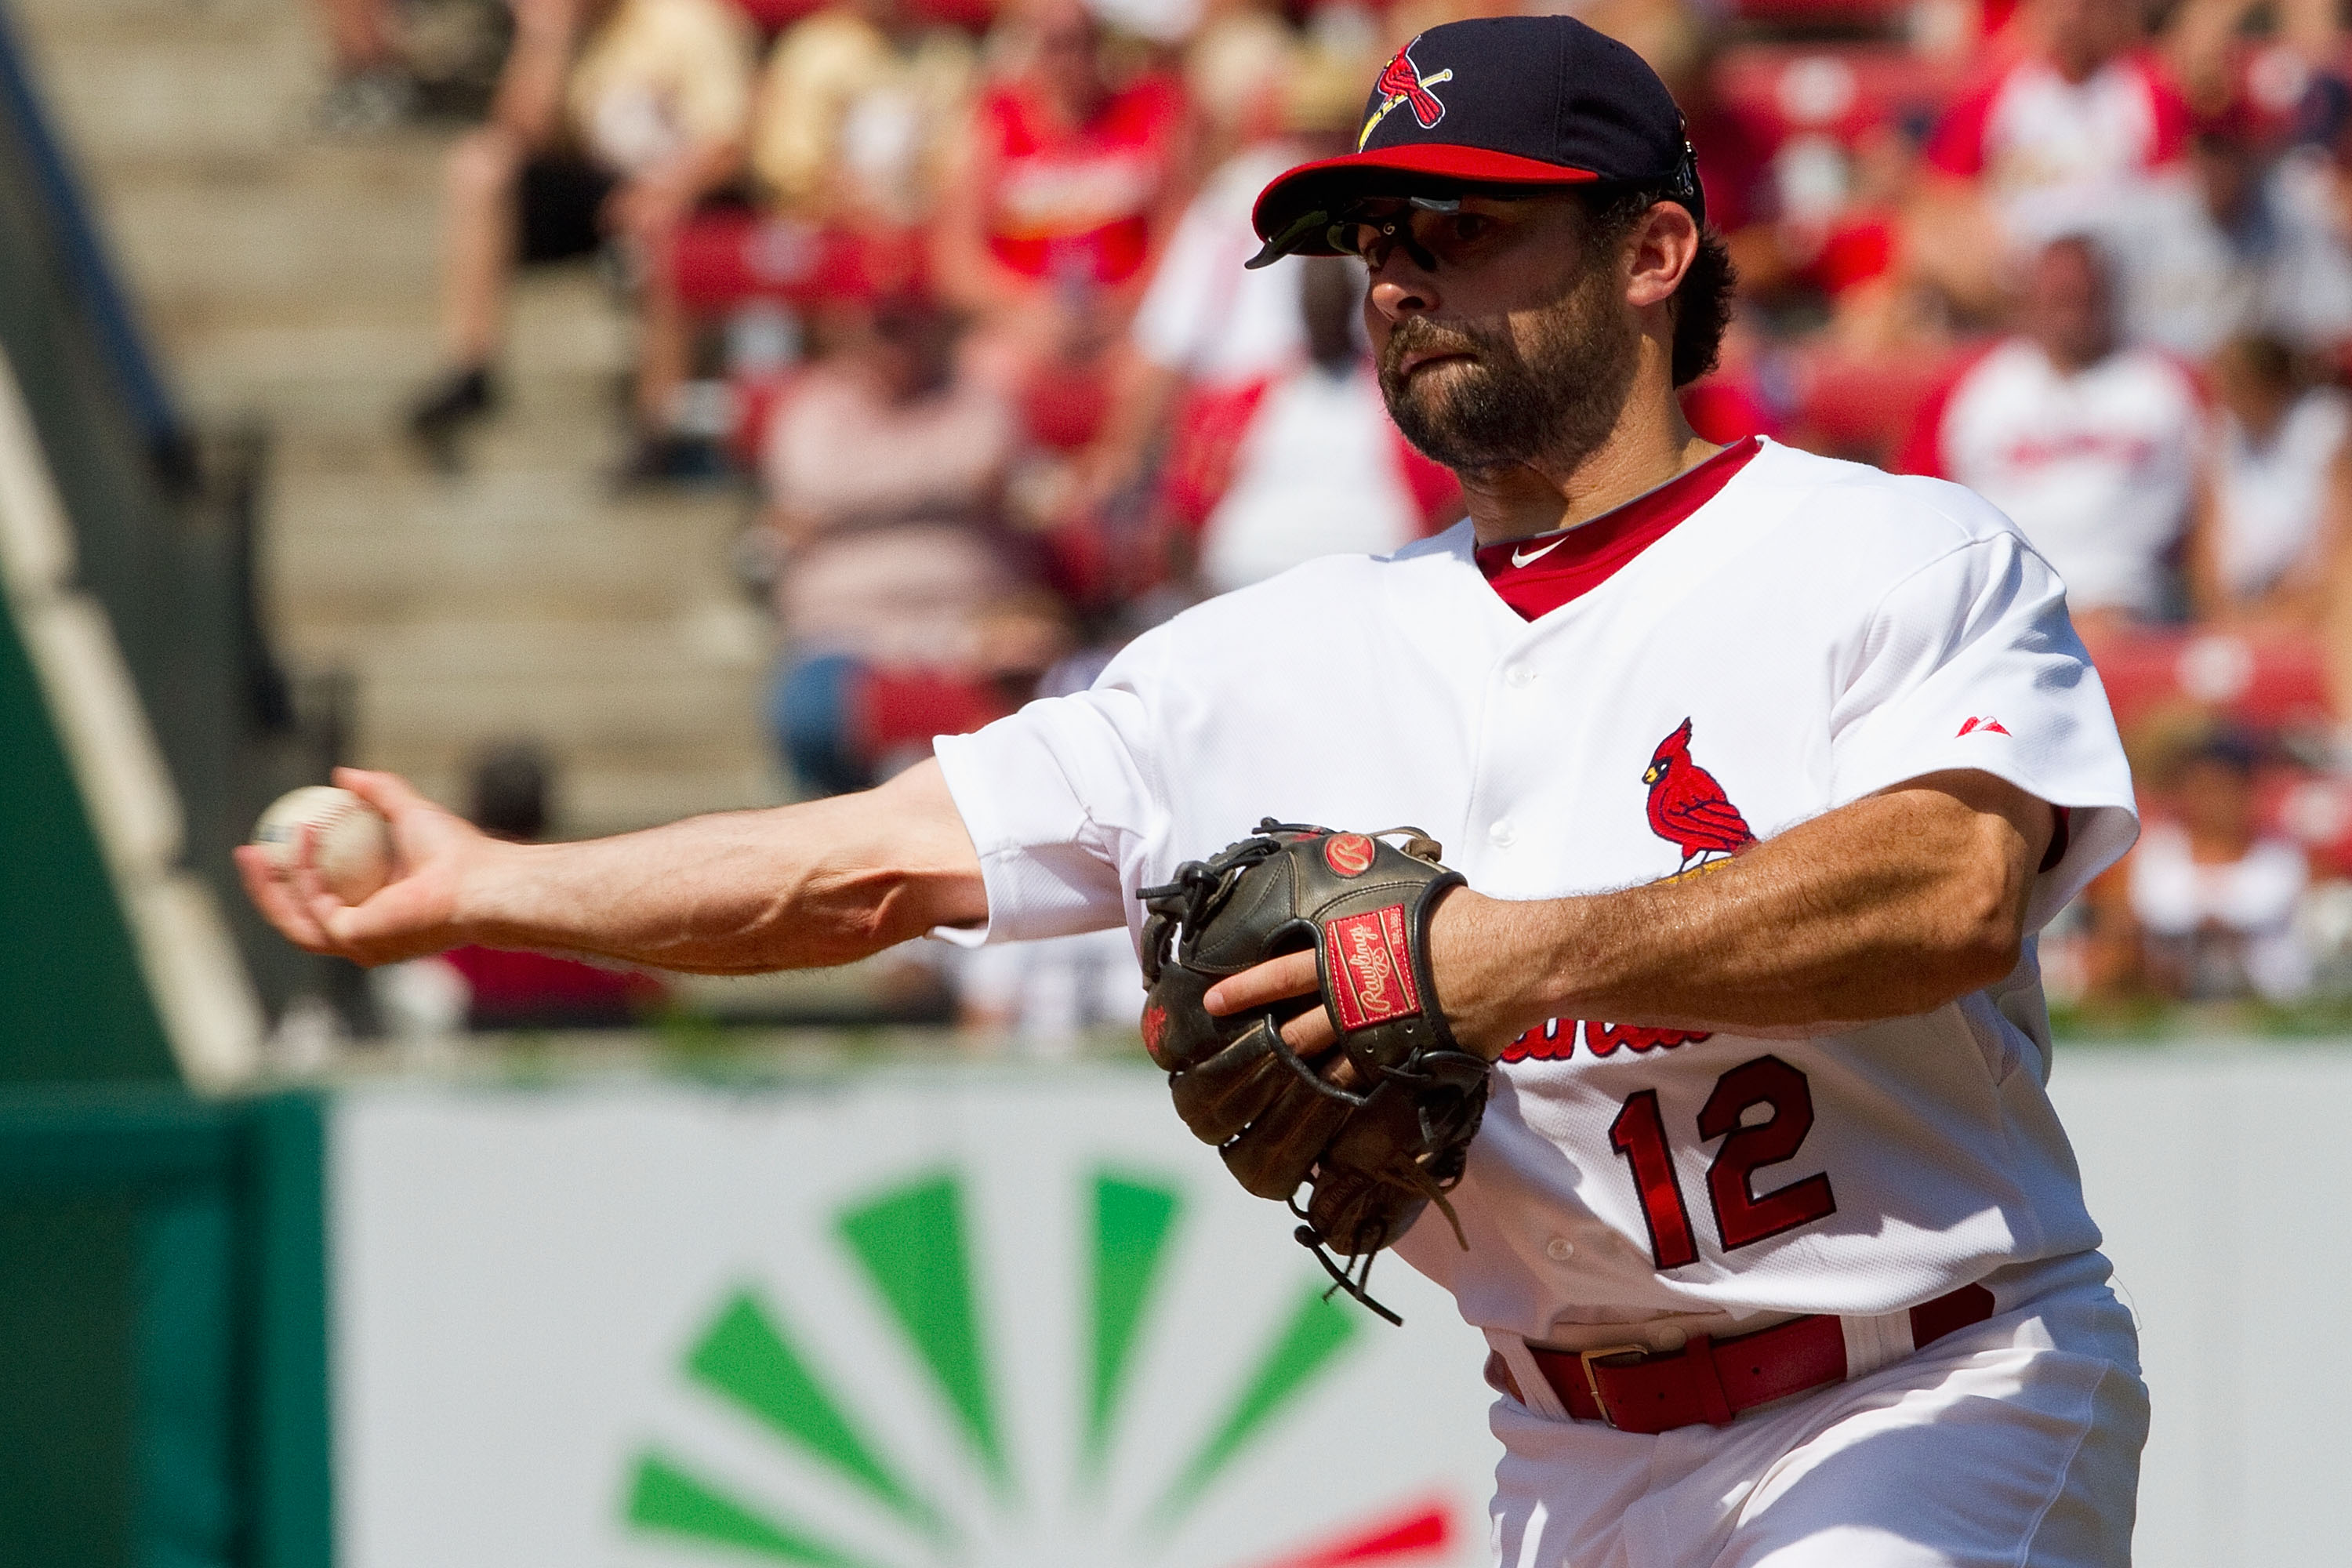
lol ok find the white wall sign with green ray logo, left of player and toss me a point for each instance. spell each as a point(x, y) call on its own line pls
point(977, 1318)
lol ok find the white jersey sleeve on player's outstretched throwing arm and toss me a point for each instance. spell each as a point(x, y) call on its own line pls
point(1060, 808)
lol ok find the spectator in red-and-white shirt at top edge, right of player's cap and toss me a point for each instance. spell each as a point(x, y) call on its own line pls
point(2054, 140)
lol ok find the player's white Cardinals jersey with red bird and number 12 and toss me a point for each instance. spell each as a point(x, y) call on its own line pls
point(1746, 648)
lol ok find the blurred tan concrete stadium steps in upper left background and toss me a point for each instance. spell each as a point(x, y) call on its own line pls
point(298, 279)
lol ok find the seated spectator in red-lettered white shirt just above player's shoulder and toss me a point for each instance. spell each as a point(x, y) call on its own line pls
point(2085, 443)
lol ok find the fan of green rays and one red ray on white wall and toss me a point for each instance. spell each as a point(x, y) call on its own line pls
point(914, 1247)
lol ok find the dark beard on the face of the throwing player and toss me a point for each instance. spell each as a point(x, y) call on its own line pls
point(1551, 406)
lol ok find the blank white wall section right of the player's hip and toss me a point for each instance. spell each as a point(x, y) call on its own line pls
point(2219, 1174)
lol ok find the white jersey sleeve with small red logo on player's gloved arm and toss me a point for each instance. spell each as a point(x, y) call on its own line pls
point(1972, 664)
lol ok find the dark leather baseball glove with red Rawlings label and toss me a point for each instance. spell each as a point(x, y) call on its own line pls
point(1382, 1127)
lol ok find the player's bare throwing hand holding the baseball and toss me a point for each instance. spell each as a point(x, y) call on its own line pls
point(415, 913)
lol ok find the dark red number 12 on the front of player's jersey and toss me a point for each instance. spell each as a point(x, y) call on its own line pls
point(1739, 1214)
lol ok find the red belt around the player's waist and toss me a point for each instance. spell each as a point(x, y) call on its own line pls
point(1711, 1381)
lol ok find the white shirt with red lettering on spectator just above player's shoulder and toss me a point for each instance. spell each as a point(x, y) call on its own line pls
point(2097, 467)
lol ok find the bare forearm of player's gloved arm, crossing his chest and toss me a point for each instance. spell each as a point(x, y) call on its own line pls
point(1885, 909)
